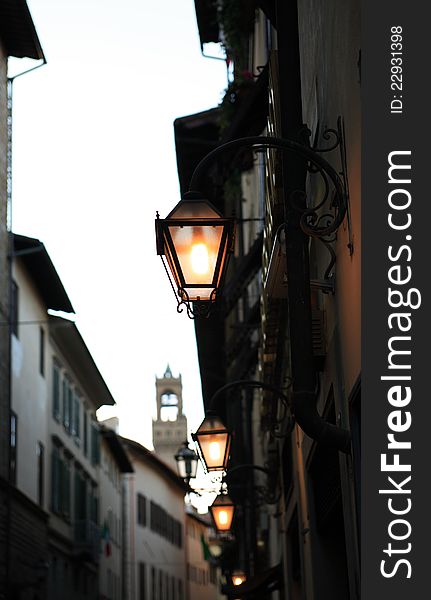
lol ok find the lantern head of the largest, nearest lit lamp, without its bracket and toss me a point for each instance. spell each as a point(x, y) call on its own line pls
point(196, 241)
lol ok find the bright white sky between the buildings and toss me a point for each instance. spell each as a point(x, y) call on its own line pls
point(93, 159)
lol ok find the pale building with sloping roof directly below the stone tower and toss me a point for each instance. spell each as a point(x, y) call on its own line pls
point(154, 505)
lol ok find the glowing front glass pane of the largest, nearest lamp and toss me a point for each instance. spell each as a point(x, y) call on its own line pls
point(197, 248)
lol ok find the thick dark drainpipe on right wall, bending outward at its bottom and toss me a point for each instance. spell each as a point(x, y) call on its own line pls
point(304, 384)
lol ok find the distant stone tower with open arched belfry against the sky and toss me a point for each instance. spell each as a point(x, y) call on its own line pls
point(170, 426)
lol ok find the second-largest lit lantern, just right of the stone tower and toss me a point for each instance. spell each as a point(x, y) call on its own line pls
point(213, 441)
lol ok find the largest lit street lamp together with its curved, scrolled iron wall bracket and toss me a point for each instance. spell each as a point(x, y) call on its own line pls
point(197, 240)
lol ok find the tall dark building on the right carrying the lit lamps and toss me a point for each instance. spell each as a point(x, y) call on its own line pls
point(290, 316)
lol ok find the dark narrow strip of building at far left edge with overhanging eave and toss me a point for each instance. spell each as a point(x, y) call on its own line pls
point(18, 38)
